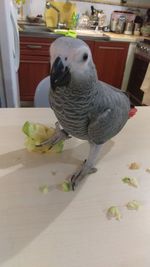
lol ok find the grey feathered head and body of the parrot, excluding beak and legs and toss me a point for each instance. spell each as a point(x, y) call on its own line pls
point(87, 108)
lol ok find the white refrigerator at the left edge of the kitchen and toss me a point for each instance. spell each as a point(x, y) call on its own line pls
point(9, 55)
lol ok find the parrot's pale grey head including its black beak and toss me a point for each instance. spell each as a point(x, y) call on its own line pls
point(71, 60)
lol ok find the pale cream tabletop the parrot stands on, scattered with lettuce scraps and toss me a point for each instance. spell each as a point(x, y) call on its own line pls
point(71, 229)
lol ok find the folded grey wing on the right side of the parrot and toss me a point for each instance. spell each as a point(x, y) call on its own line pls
point(110, 113)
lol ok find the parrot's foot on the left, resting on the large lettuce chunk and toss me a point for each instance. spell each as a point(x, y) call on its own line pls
point(58, 136)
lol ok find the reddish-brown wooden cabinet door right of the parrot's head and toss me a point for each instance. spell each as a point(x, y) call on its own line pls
point(110, 59)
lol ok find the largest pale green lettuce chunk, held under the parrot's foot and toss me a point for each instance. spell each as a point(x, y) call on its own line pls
point(37, 133)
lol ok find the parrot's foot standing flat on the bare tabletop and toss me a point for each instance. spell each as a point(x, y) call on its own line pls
point(84, 170)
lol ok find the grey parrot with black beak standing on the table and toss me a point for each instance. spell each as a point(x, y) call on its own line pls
point(85, 107)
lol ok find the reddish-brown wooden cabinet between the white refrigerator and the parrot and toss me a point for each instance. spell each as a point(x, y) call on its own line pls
point(34, 64)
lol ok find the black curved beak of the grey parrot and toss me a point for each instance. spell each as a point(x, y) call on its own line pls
point(60, 75)
